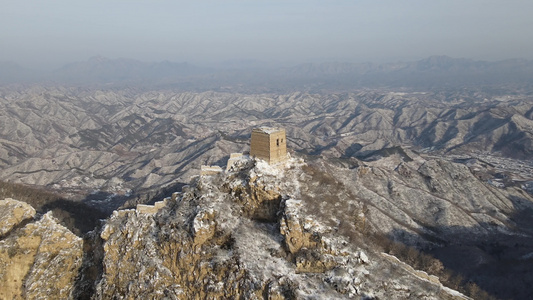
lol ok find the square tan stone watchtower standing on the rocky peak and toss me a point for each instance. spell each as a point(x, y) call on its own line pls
point(269, 144)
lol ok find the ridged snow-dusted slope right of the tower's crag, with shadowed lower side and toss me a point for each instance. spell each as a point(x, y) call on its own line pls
point(476, 228)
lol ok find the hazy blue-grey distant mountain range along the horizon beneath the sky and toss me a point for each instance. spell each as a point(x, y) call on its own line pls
point(431, 72)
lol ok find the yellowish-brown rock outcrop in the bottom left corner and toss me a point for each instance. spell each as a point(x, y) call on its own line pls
point(39, 259)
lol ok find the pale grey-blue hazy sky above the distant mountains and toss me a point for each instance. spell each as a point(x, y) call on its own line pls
point(50, 33)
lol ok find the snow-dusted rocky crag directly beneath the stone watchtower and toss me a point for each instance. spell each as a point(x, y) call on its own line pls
point(246, 234)
